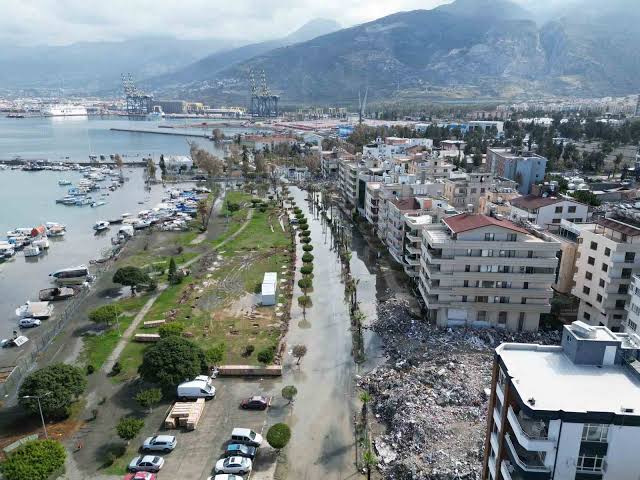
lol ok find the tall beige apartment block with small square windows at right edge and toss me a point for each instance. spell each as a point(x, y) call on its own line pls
point(608, 256)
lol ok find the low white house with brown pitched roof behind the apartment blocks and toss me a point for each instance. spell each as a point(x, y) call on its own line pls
point(545, 211)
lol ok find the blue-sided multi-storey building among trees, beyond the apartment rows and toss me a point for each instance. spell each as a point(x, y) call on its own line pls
point(526, 168)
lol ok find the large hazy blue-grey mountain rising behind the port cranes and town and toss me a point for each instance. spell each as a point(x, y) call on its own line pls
point(466, 50)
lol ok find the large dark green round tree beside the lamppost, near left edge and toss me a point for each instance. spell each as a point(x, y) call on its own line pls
point(65, 382)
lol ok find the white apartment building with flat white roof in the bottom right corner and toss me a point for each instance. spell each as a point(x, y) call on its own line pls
point(565, 412)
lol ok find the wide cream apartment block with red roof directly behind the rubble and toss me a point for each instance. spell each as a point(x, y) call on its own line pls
point(479, 270)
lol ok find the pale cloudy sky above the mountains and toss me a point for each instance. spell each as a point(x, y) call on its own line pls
point(56, 22)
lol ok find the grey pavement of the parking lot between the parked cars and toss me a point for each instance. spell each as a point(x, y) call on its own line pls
point(197, 451)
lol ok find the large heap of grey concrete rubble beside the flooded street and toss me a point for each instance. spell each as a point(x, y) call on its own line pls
point(432, 394)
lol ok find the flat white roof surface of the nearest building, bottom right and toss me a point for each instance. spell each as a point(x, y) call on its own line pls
point(547, 375)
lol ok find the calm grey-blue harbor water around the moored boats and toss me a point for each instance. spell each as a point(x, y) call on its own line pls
point(28, 199)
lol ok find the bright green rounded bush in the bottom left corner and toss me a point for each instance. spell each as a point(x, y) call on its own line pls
point(35, 460)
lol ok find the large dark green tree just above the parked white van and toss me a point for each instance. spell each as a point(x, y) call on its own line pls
point(171, 361)
